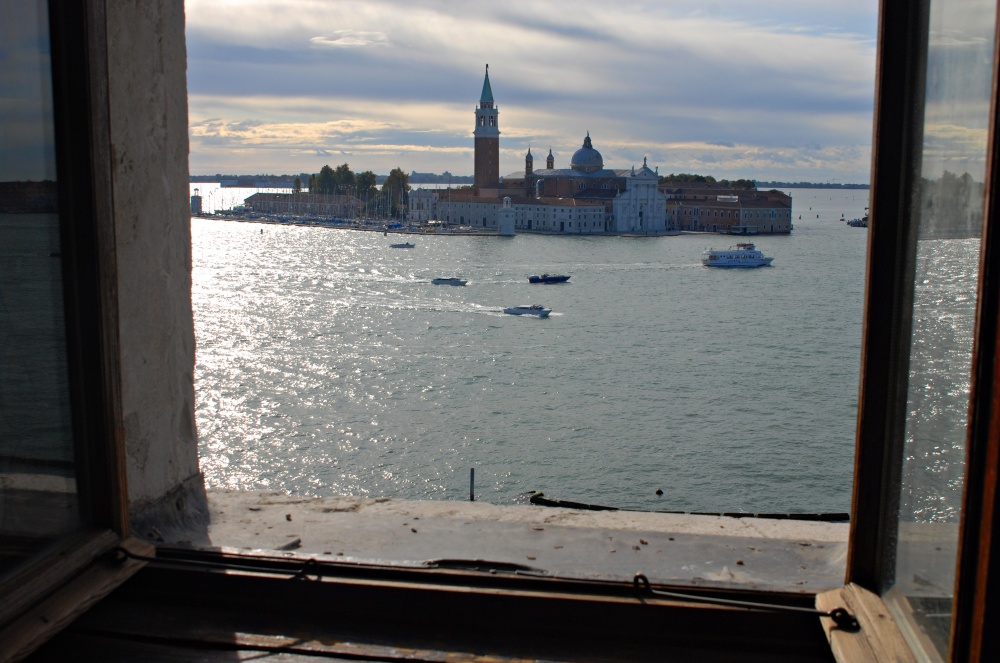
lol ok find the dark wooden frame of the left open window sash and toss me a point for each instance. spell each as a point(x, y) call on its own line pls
point(66, 577)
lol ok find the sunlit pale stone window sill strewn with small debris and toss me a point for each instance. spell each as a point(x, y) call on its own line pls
point(799, 557)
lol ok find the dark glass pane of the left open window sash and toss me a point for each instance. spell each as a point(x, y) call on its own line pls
point(38, 500)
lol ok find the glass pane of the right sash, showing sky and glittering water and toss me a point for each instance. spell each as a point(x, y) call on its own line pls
point(949, 206)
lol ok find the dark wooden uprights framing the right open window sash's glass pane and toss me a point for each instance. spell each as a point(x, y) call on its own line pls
point(896, 145)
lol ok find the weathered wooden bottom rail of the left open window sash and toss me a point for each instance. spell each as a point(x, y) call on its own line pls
point(38, 624)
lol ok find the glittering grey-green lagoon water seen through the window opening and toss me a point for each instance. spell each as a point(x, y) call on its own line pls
point(327, 364)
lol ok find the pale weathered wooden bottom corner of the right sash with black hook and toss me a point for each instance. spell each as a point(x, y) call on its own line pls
point(878, 639)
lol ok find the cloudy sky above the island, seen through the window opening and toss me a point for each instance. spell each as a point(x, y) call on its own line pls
point(764, 90)
